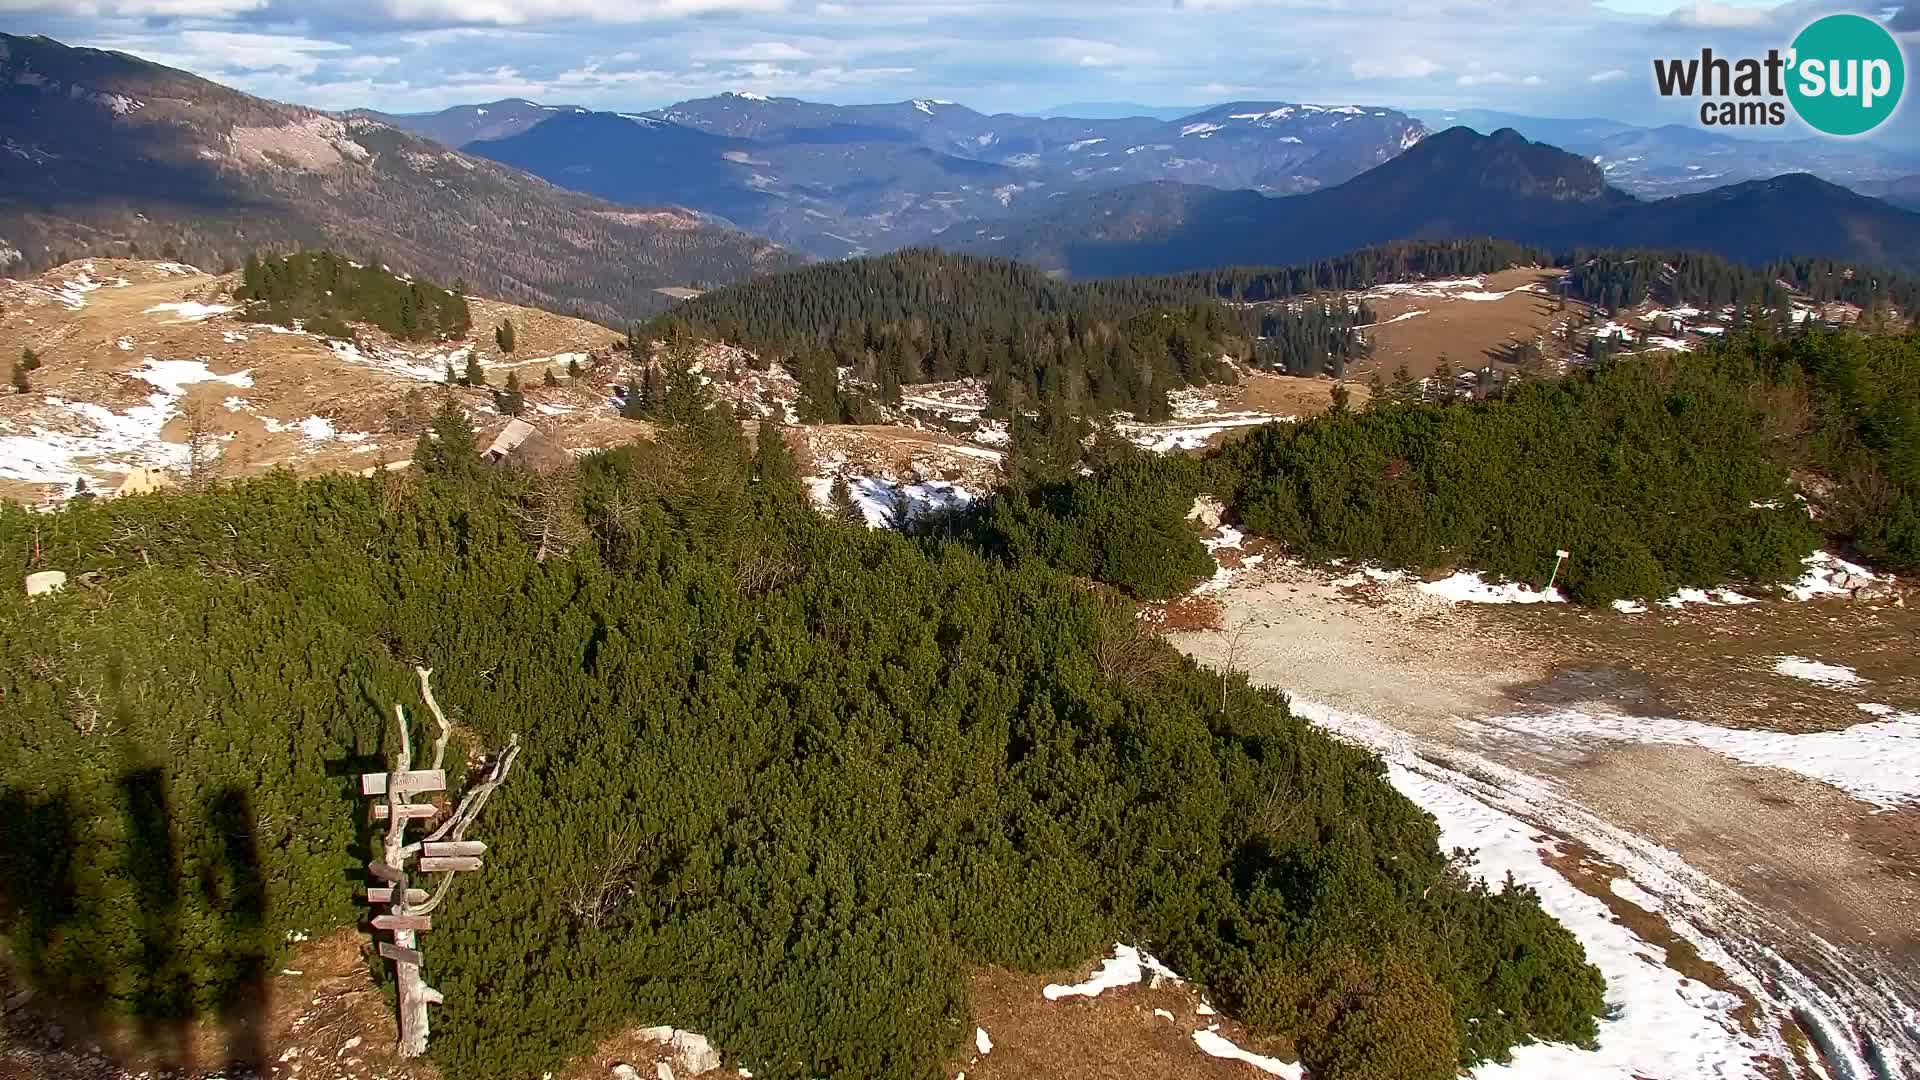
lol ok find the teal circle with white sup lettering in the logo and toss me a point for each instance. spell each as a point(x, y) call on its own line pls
point(1846, 74)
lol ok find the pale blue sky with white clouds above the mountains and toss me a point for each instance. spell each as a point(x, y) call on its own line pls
point(1566, 59)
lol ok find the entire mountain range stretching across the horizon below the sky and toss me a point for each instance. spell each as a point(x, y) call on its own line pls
point(105, 155)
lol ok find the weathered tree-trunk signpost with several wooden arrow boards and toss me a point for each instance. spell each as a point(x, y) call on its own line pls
point(443, 852)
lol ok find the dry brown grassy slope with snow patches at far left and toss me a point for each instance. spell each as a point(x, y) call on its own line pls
point(295, 378)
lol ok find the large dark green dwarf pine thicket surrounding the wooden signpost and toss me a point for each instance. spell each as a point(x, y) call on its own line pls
point(784, 781)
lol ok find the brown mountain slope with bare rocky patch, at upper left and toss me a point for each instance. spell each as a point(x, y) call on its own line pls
point(107, 155)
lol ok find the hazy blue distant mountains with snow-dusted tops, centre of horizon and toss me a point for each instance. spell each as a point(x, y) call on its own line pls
point(850, 180)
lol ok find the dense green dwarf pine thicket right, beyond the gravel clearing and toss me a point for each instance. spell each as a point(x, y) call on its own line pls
point(1656, 474)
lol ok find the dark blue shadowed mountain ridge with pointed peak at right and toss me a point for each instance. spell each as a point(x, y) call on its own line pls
point(1451, 185)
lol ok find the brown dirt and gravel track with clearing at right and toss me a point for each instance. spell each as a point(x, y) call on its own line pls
point(1810, 891)
